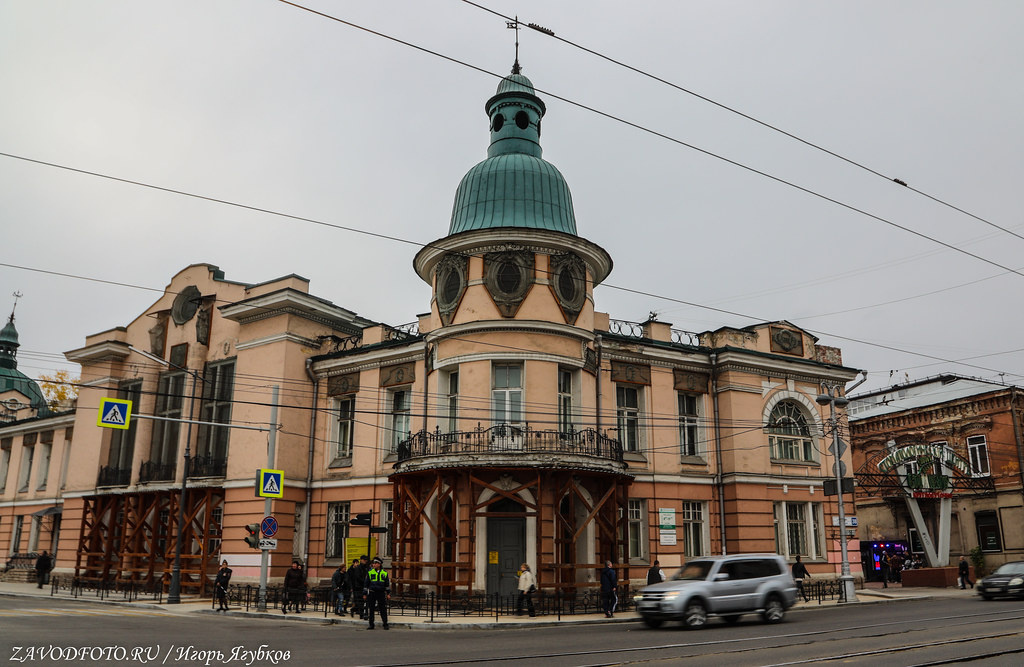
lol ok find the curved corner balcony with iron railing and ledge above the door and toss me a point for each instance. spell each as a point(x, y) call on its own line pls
point(510, 446)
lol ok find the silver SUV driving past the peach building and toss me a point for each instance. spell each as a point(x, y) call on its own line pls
point(723, 587)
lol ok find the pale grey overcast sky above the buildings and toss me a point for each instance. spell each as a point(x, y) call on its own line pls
point(266, 105)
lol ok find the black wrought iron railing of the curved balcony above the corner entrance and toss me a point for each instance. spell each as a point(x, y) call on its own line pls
point(506, 439)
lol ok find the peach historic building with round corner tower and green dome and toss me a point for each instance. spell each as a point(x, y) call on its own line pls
point(513, 423)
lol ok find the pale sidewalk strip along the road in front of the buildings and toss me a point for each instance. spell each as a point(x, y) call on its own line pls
point(873, 594)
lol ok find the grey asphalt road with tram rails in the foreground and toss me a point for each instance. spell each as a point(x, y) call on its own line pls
point(39, 632)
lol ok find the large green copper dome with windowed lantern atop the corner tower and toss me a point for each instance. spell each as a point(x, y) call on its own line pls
point(515, 187)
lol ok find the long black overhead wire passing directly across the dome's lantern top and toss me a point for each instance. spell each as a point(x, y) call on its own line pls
point(662, 136)
